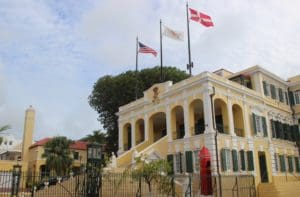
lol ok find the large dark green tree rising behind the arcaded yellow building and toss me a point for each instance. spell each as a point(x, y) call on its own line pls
point(111, 92)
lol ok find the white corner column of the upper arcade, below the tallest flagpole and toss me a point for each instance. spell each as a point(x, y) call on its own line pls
point(207, 112)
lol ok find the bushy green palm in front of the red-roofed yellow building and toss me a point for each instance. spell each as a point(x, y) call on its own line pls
point(57, 153)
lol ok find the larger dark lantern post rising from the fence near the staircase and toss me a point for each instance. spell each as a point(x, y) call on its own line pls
point(94, 158)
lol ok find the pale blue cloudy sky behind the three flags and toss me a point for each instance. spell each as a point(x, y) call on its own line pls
point(52, 52)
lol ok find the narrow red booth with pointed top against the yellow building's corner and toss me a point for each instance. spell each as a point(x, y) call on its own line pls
point(205, 171)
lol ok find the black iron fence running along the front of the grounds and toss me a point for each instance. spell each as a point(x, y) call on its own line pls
point(125, 184)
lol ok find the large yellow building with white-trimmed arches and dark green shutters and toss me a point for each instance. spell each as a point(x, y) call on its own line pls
point(248, 120)
